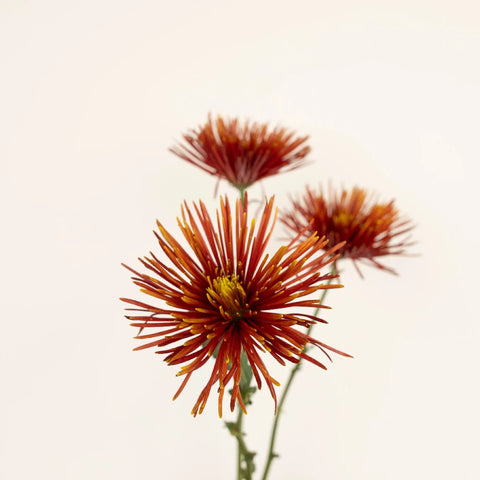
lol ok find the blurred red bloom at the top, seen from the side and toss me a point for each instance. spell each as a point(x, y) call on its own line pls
point(242, 154)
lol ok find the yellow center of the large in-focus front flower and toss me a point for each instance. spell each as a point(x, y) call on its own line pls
point(227, 293)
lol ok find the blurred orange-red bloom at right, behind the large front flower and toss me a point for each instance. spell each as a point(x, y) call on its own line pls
point(370, 229)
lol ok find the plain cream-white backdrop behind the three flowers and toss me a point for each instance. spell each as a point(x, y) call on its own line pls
point(92, 95)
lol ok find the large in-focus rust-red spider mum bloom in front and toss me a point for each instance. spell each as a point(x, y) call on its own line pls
point(227, 296)
